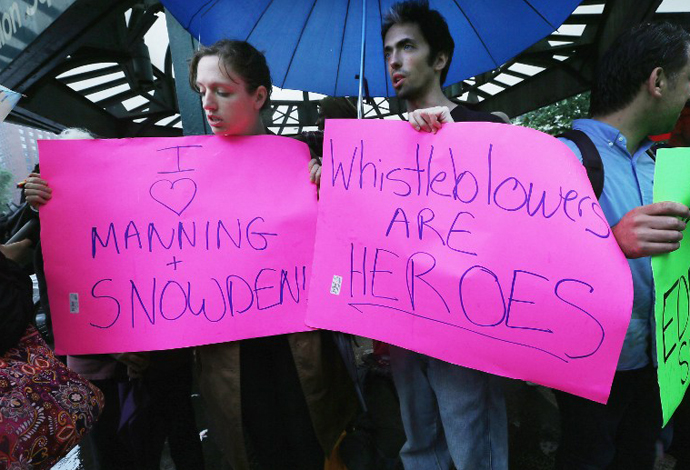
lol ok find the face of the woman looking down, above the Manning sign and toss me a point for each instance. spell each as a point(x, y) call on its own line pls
point(230, 109)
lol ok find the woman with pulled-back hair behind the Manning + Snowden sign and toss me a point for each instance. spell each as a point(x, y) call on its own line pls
point(279, 402)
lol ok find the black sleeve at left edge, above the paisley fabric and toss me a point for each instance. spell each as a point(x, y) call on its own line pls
point(16, 303)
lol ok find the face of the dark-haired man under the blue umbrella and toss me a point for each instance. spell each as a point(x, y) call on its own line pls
point(407, 53)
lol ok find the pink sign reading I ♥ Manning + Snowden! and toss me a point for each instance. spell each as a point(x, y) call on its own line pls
point(173, 242)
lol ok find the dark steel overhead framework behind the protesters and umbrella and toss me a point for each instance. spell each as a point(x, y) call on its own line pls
point(85, 63)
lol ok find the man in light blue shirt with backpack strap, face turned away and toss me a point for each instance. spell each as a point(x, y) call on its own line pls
point(641, 86)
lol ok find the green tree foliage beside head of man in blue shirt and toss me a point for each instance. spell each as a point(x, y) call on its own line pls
point(558, 117)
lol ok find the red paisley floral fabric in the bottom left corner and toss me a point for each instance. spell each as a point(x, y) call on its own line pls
point(45, 408)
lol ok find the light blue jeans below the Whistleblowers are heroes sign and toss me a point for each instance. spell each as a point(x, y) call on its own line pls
point(451, 414)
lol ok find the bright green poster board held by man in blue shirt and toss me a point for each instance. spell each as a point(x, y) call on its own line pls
point(672, 286)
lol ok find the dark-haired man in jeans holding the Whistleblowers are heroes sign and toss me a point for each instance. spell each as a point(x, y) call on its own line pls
point(452, 415)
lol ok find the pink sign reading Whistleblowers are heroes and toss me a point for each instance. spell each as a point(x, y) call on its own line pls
point(482, 245)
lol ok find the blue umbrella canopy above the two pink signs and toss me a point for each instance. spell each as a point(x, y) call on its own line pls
point(315, 45)
